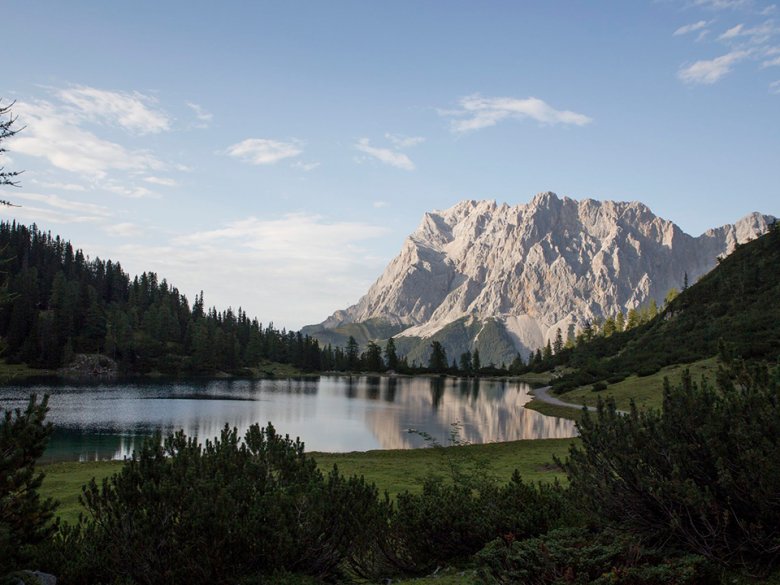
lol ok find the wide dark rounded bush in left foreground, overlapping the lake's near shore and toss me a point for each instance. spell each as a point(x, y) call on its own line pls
point(181, 512)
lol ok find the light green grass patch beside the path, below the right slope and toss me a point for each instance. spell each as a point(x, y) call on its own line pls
point(646, 391)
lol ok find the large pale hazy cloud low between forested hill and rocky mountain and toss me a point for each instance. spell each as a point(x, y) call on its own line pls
point(268, 266)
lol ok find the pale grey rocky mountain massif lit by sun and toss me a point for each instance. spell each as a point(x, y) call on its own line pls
point(503, 278)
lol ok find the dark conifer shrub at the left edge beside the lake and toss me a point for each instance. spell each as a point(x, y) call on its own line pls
point(25, 519)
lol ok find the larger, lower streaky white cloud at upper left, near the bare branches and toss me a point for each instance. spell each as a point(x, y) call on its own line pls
point(52, 134)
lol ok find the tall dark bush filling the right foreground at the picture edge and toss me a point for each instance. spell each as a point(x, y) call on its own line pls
point(702, 473)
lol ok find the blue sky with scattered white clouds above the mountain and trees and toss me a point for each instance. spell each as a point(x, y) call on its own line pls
point(276, 154)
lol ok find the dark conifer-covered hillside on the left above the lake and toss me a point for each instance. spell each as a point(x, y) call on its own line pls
point(62, 303)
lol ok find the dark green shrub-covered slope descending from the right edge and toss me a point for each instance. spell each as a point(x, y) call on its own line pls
point(733, 311)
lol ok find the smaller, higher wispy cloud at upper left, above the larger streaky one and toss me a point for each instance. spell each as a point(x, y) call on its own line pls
point(132, 111)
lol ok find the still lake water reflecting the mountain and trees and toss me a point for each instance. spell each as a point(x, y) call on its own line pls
point(328, 413)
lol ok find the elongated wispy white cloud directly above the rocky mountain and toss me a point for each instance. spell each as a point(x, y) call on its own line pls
point(480, 112)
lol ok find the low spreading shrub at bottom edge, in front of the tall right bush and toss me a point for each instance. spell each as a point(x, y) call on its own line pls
point(580, 556)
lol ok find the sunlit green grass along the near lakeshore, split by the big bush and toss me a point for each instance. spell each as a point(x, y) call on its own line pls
point(394, 471)
